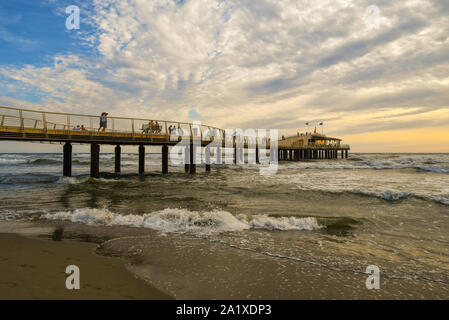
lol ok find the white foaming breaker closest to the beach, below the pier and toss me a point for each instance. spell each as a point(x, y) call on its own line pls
point(186, 221)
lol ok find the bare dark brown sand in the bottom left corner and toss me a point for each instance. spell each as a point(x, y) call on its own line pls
point(35, 269)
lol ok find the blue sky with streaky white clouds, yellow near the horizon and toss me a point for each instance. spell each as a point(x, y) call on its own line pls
point(376, 73)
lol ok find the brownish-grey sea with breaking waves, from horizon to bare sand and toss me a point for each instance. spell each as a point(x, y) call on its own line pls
point(310, 230)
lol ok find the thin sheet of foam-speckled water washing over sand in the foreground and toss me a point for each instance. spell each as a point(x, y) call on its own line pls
point(201, 269)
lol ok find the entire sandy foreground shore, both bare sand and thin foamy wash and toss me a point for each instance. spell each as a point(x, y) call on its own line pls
point(147, 265)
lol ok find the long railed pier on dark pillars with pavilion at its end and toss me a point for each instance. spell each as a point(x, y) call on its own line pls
point(53, 127)
